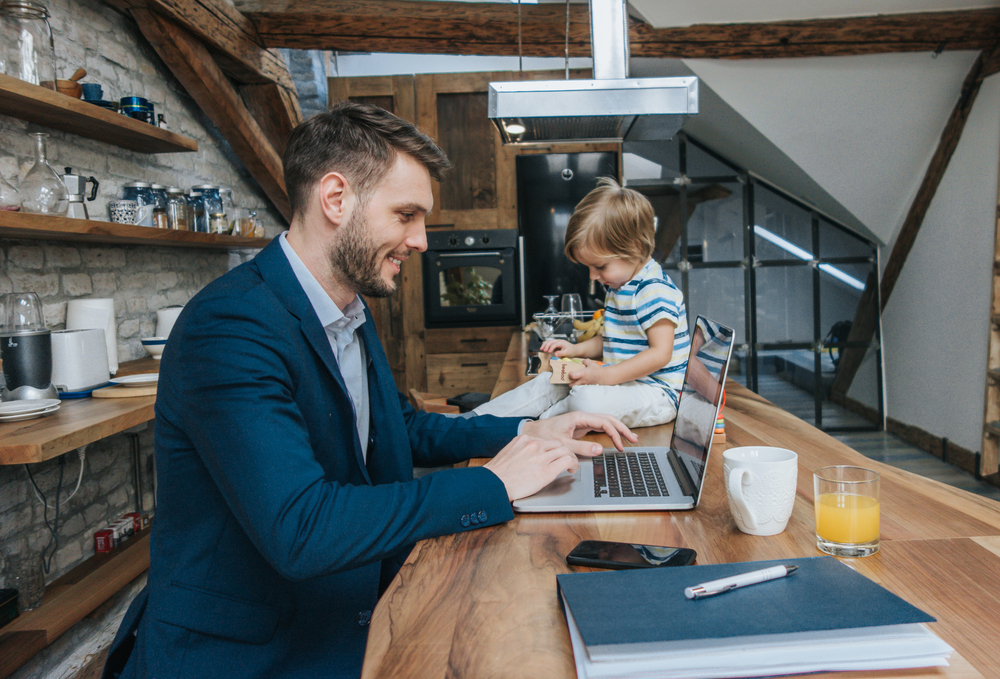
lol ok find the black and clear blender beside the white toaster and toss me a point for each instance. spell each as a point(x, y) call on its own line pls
point(25, 349)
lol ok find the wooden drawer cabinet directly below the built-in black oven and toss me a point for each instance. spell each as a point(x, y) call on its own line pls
point(465, 359)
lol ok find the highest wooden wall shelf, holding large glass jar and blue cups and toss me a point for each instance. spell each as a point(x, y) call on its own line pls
point(61, 112)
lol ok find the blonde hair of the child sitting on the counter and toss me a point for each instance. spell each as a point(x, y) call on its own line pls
point(612, 220)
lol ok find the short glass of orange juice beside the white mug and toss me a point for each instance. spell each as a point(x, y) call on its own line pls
point(847, 510)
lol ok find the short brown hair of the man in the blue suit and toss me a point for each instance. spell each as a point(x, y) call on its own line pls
point(358, 140)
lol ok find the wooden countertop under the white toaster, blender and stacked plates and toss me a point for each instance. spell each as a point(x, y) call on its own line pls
point(77, 422)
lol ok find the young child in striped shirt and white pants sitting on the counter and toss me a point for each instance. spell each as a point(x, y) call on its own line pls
point(645, 341)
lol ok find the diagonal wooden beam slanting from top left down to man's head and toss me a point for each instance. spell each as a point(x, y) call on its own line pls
point(197, 71)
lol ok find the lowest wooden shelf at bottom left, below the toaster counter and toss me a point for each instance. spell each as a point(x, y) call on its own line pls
point(70, 598)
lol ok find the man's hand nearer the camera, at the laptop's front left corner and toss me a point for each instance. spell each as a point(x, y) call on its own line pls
point(527, 464)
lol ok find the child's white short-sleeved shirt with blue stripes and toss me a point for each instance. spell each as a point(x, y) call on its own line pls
point(631, 309)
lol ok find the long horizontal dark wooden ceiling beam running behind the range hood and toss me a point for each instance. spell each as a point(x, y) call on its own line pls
point(400, 26)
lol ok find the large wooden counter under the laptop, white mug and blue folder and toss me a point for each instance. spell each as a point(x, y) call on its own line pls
point(483, 603)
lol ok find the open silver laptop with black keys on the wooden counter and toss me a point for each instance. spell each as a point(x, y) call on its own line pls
point(653, 477)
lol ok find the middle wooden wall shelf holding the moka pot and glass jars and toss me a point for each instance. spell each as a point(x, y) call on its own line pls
point(44, 227)
